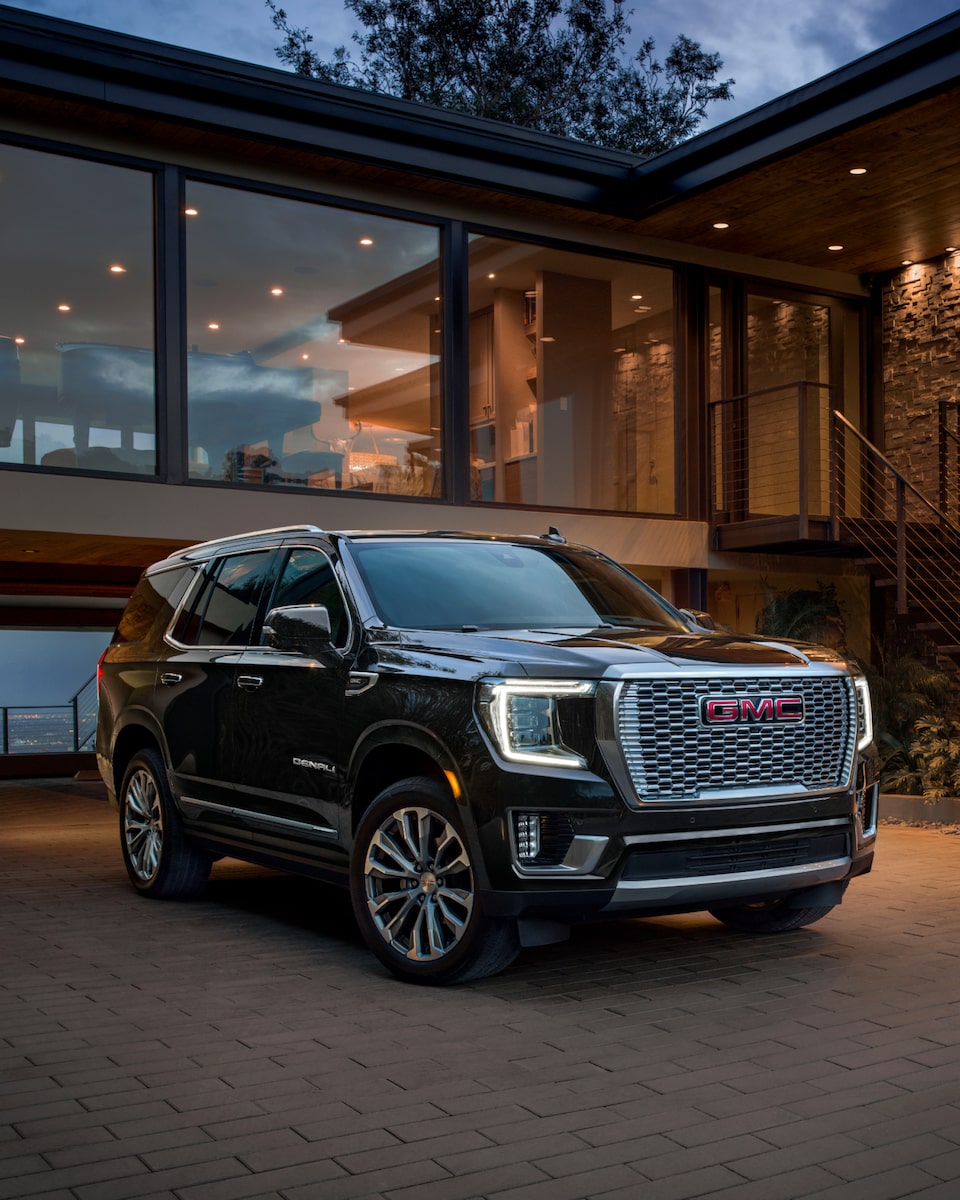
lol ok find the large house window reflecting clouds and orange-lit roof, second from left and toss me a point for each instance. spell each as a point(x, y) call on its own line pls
point(314, 346)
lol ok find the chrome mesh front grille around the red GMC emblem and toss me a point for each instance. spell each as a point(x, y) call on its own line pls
point(673, 757)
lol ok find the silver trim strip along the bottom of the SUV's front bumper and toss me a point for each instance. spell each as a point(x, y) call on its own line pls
point(709, 890)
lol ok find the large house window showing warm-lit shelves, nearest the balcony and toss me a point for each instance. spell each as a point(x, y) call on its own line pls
point(573, 393)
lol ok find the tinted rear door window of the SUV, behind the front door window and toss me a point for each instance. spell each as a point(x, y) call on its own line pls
point(226, 607)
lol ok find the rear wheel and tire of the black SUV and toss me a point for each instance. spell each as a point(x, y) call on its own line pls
point(160, 861)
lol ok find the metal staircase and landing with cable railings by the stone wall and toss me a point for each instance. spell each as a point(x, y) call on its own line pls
point(790, 473)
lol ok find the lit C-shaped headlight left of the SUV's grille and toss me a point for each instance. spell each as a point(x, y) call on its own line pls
point(521, 717)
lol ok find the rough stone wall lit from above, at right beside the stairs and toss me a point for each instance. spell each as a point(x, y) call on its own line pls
point(921, 364)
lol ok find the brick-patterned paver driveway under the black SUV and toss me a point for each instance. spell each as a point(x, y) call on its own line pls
point(248, 1046)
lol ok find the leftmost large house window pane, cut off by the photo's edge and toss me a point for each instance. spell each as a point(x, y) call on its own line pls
point(77, 385)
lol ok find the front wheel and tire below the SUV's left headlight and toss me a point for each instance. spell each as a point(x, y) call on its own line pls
point(415, 891)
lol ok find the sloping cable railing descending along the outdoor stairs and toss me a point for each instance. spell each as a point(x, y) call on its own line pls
point(913, 541)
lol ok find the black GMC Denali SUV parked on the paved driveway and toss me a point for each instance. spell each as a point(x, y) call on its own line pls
point(485, 739)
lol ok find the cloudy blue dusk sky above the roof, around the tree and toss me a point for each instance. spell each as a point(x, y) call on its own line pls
point(769, 46)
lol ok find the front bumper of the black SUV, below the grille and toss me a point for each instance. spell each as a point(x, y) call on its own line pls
point(692, 859)
